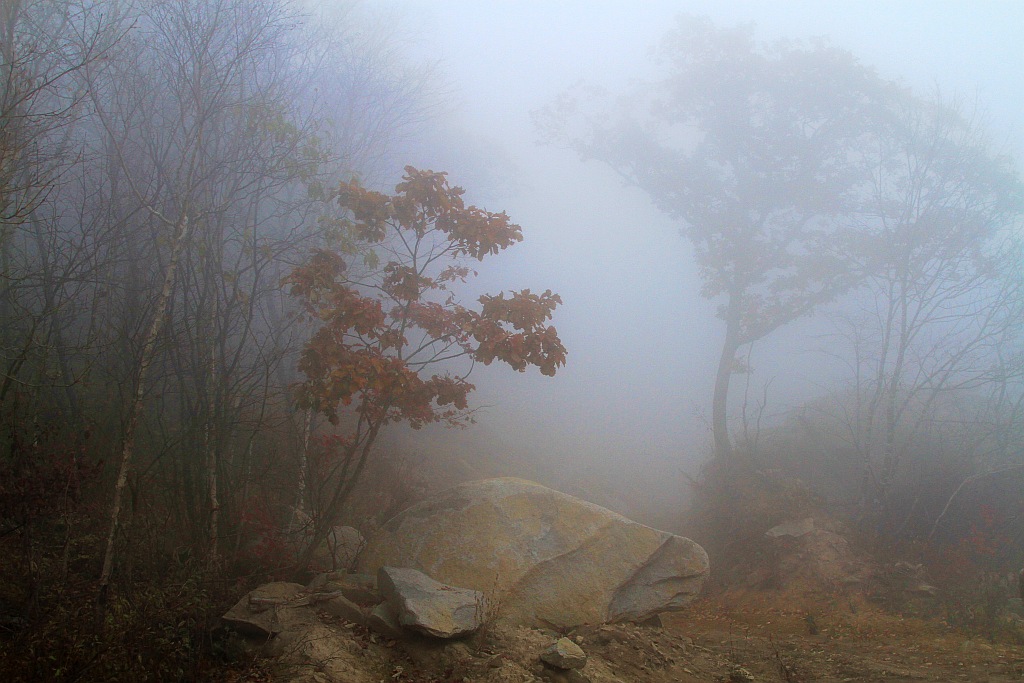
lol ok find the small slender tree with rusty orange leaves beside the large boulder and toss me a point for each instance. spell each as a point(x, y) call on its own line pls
point(393, 344)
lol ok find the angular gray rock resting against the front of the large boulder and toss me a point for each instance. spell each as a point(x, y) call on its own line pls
point(429, 607)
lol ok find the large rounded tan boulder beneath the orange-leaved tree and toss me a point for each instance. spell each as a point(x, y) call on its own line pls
point(542, 559)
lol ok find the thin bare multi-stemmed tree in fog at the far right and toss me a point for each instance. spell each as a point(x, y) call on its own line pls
point(934, 248)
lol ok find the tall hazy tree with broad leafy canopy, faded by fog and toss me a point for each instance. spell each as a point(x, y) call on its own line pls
point(775, 159)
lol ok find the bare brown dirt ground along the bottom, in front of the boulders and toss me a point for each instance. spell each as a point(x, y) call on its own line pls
point(736, 637)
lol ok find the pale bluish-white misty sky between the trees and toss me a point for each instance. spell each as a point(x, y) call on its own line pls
point(644, 347)
